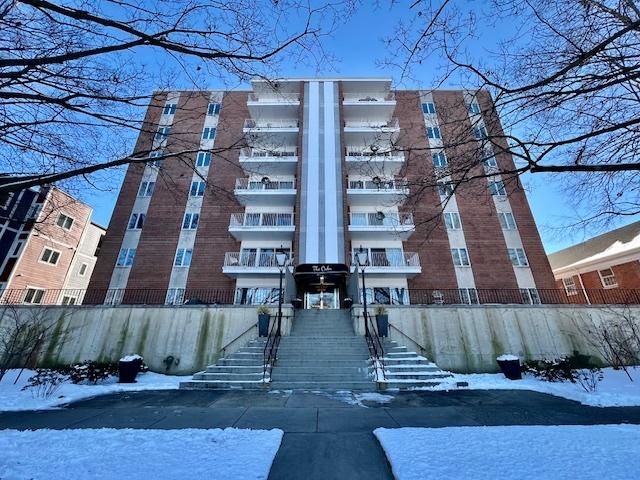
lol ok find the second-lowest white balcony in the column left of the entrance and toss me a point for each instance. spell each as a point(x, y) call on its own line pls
point(262, 226)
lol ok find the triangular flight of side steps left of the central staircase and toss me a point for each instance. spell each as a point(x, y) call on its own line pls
point(240, 370)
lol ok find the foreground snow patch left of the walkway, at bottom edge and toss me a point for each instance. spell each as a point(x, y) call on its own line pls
point(138, 454)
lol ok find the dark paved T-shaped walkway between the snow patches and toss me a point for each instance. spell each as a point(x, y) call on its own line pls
point(325, 436)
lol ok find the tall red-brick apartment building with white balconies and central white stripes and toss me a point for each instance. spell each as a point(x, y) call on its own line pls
point(318, 168)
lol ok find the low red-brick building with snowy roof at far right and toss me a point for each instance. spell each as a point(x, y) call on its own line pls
point(608, 261)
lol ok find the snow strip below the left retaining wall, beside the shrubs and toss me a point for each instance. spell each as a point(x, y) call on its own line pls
point(13, 398)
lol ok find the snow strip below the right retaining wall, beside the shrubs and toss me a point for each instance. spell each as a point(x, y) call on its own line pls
point(615, 390)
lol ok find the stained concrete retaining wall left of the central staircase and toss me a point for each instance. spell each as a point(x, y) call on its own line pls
point(192, 334)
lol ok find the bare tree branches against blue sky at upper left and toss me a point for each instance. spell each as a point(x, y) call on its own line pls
point(75, 76)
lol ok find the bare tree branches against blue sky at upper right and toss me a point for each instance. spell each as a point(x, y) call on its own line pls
point(564, 77)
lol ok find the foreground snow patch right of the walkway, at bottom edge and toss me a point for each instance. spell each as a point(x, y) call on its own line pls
point(514, 452)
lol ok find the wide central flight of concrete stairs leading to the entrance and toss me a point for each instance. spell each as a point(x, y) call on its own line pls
point(322, 353)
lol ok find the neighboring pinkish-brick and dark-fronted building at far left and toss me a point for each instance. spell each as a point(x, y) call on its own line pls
point(47, 247)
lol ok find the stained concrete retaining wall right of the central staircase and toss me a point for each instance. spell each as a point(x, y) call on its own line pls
point(468, 339)
